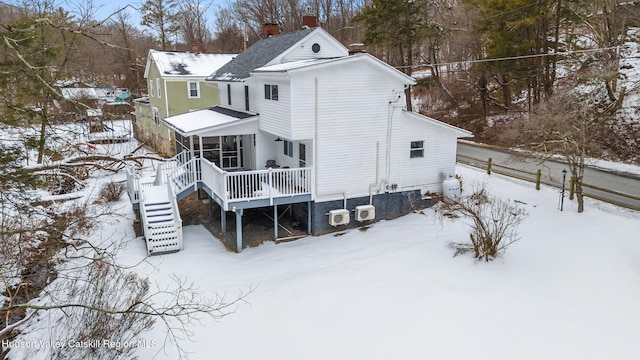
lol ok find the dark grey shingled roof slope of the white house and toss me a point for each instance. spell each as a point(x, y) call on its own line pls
point(258, 55)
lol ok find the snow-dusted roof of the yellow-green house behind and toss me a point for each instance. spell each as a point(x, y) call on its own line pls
point(187, 64)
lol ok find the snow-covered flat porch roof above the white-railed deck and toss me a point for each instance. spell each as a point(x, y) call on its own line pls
point(206, 120)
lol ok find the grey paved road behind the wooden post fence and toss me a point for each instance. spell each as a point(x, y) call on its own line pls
point(628, 185)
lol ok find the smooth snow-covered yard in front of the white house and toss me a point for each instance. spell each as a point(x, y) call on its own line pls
point(569, 289)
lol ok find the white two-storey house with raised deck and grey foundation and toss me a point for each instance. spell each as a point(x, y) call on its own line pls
point(303, 122)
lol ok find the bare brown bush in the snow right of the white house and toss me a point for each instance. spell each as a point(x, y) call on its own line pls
point(494, 223)
